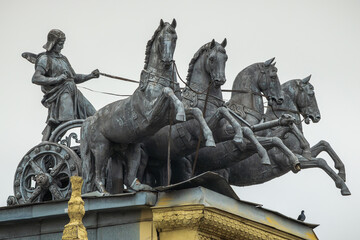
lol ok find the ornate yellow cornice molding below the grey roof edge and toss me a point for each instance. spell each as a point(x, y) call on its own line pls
point(212, 224)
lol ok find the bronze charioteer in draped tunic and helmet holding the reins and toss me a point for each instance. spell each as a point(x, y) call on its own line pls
point(58, 83)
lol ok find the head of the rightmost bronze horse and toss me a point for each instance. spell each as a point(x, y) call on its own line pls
point(306, 101)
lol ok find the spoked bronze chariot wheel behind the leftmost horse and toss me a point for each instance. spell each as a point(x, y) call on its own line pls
point(44, 174)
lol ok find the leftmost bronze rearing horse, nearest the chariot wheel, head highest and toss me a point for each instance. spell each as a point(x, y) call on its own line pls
point(121, 125)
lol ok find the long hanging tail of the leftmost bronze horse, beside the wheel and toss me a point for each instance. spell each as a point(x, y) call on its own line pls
point(87, 157)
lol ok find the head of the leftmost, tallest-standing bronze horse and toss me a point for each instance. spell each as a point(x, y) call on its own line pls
point(161, 47)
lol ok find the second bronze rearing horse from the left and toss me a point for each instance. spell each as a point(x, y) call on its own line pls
point(205, 76)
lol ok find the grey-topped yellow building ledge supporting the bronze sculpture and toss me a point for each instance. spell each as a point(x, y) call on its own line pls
point(177, 213)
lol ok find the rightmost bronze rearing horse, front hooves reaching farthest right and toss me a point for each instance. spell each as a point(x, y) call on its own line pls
point(299, 100)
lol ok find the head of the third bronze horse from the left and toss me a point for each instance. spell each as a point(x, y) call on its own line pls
point(269, 83)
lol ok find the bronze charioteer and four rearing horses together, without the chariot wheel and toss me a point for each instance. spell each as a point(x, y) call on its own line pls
point(163, 134)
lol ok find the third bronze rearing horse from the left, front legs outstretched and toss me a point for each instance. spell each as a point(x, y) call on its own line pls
point(249, 87)
